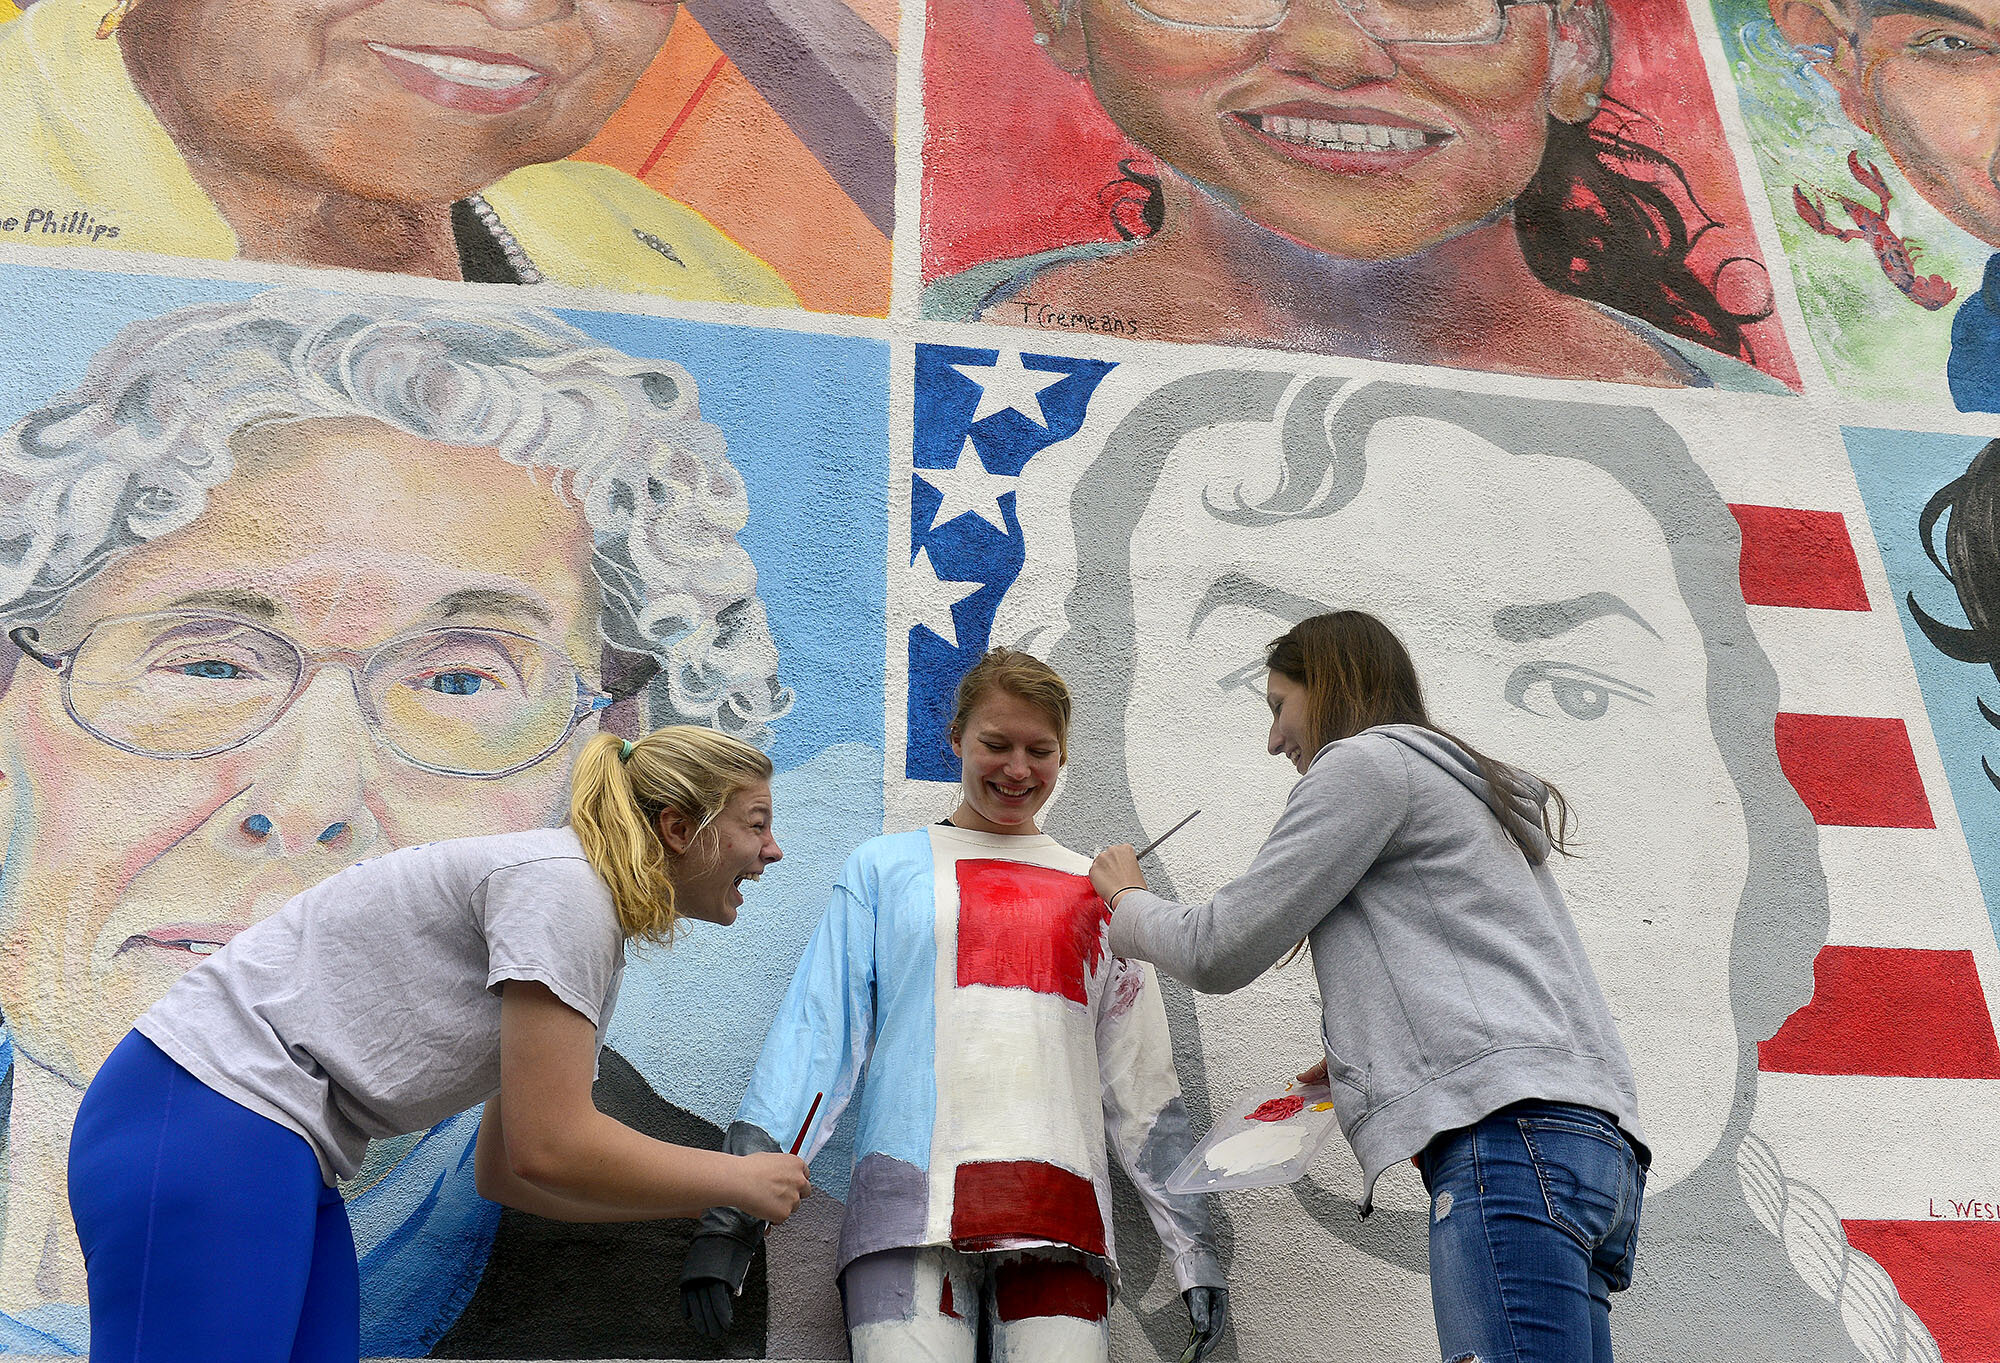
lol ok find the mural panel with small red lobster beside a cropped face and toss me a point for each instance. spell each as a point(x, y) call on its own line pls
point(1877, 125)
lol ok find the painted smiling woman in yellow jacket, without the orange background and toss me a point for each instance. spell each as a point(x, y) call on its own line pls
point(373, 135)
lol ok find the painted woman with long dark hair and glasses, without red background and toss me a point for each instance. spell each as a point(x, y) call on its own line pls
point(1421, 181)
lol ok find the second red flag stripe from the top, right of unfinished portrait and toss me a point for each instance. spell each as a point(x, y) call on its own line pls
point(1853, 770)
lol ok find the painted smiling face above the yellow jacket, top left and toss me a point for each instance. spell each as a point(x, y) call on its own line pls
point(305, 89)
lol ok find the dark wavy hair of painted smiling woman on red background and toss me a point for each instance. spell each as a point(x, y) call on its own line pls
point(1587, 225)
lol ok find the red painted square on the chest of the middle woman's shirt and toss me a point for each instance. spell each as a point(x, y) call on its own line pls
point(1029, 928)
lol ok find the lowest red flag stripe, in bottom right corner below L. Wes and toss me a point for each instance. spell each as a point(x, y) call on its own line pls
point(1947, 1274)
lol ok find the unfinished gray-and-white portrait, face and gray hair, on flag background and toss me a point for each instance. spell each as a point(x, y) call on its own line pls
point(1601, 645)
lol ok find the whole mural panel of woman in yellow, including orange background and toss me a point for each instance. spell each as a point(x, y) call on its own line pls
point(729, 153)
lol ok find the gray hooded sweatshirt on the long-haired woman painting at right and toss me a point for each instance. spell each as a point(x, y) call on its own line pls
point(1451, 972)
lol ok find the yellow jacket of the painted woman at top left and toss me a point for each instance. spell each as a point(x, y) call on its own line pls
point(85, 163)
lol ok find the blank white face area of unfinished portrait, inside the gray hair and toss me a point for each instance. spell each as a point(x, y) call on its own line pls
point(1577, 659)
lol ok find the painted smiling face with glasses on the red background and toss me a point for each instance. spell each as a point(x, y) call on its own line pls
point(1367, 133)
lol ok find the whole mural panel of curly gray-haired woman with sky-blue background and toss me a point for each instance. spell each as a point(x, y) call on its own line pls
point(243, 541)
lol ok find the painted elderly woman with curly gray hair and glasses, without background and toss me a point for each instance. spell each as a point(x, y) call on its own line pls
point(291, 583)
